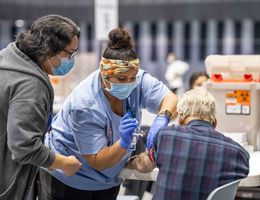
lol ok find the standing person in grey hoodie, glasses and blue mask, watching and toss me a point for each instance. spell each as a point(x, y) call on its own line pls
point(26, 103)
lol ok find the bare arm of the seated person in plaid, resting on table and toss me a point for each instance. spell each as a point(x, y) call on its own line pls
point(141, 163)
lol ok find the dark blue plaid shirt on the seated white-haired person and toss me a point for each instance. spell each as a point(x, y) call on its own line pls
point(195, 159)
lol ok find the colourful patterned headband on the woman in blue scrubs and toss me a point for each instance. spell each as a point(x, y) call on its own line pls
point(110, 67)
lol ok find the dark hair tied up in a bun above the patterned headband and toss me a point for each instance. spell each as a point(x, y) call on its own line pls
point(120, 45)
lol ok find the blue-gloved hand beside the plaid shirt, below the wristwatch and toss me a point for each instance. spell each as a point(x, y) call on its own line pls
point(159, 122)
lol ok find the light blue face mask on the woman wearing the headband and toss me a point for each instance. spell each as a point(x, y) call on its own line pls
point(121, 90)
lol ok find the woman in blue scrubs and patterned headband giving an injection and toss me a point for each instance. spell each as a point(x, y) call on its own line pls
point(98, 119)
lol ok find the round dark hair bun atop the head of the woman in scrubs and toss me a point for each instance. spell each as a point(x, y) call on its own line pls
point(120, 38)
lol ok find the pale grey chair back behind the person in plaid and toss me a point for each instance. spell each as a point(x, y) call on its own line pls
point(227, 191)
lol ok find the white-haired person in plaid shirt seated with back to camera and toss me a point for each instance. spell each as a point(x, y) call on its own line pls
point(193, 158)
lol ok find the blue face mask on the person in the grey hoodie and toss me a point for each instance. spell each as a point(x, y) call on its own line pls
point(64, 68)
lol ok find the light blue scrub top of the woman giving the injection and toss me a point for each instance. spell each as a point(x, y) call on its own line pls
point(86, 124)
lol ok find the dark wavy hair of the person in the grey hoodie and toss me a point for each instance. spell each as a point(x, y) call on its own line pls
point(47, 36)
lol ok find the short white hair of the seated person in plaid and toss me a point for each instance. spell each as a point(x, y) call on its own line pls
point(197, 103)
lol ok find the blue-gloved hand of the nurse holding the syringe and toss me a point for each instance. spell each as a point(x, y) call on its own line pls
point(126, 128)
